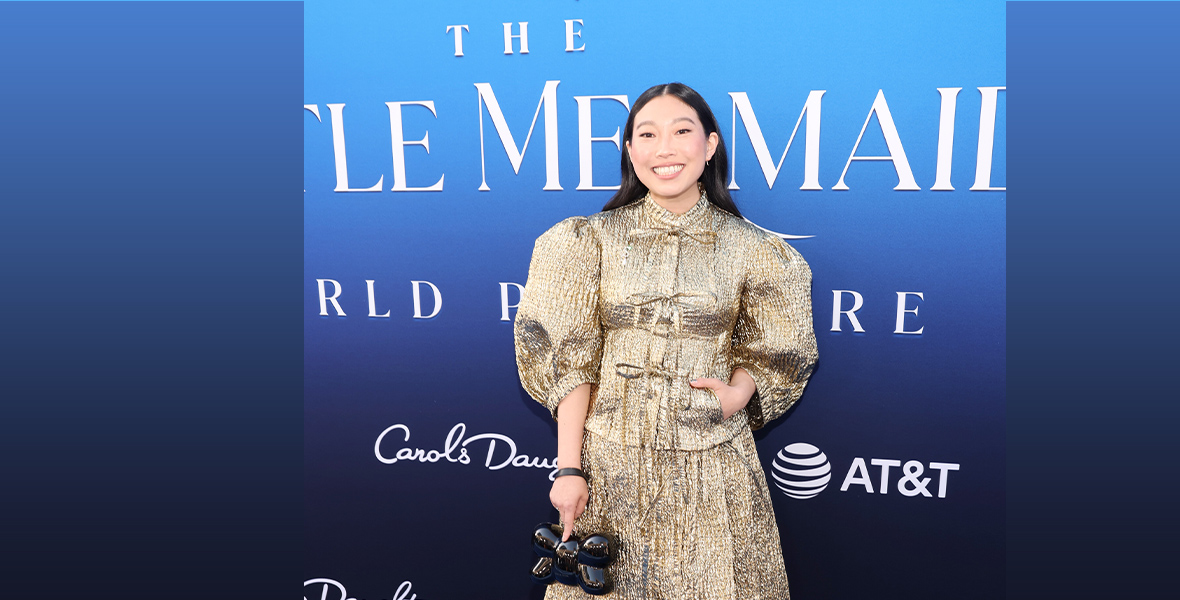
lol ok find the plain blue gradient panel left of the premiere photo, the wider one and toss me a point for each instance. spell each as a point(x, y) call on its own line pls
point(150, 239)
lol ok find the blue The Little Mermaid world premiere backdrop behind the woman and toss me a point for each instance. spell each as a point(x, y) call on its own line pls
point(442, 139)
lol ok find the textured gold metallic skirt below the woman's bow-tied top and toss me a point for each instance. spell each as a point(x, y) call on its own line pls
point(691, 525)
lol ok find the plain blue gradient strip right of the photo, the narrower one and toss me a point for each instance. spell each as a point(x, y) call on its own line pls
point(1092, 422)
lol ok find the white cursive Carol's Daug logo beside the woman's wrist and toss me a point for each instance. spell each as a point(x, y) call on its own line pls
point(455, 451)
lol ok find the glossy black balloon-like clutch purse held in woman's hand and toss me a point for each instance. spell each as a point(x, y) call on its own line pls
point(574, 563)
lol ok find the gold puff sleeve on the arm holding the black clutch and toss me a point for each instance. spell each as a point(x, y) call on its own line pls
point(559, 336)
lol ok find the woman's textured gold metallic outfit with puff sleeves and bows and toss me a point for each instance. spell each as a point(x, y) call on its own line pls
point(639, 302)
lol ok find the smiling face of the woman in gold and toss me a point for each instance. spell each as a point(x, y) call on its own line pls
point(668, 151)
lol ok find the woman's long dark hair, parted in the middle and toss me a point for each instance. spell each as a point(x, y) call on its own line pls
point(713, 180)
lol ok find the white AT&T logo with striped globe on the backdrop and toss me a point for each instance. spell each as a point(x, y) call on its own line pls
point(802, 472)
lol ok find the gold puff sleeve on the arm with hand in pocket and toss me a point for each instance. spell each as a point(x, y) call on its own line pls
point(773, 338)
